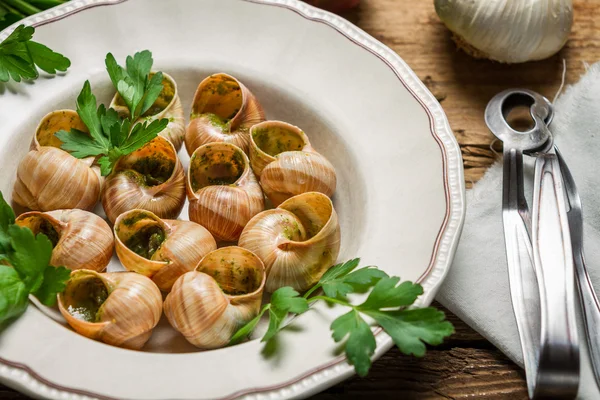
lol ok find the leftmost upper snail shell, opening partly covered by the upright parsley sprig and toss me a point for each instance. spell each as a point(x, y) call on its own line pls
point(46, 168)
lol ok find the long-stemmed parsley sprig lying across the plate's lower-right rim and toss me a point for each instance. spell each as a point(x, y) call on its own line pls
point(386, 304)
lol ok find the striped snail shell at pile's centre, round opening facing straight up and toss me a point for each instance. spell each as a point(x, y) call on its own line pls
point(222, 190)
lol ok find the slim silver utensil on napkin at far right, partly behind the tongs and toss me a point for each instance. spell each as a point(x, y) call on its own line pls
point(589, 300)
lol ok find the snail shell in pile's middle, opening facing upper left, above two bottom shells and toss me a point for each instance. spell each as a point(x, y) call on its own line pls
point(162, 250)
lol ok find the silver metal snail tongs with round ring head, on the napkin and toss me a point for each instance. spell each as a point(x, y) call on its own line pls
point(538, 249)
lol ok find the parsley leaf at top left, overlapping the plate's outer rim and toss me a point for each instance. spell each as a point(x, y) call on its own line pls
point(20, 57)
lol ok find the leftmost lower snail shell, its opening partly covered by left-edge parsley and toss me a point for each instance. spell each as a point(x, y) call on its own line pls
point(80, 239)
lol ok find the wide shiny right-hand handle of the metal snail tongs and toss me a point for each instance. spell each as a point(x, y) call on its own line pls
point(558, 371)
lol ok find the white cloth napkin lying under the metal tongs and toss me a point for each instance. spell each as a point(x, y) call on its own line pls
point(477, 288)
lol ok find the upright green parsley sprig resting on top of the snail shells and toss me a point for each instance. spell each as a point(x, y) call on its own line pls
point(111, 136)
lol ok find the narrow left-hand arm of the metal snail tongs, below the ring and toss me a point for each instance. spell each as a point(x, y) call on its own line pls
point(519, 253)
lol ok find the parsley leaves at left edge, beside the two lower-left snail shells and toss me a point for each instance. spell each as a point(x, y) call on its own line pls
point(25, 267)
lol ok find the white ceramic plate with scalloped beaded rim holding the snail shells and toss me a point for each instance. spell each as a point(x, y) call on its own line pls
point(400, 193)
